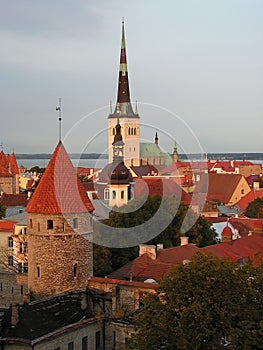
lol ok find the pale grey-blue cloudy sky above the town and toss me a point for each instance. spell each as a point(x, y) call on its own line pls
point(195, 69)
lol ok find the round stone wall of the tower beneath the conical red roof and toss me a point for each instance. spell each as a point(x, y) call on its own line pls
point(59, 258)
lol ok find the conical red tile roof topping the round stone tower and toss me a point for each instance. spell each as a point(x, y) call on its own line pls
point(59, 190)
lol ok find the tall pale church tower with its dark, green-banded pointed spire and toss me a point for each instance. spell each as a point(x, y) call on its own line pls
point(123, 112)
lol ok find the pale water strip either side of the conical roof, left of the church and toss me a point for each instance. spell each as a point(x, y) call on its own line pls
point(42, 163)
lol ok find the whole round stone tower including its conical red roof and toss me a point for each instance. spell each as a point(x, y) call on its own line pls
point(59, 230)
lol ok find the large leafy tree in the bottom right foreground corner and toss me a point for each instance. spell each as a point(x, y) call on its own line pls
point(205, 304)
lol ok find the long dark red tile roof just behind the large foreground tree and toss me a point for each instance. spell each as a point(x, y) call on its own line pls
point(145, 267)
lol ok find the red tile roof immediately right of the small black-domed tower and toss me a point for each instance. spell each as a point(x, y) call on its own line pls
point(152, 186)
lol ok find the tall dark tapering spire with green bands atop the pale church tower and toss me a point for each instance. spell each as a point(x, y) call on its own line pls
point(123, 105)
